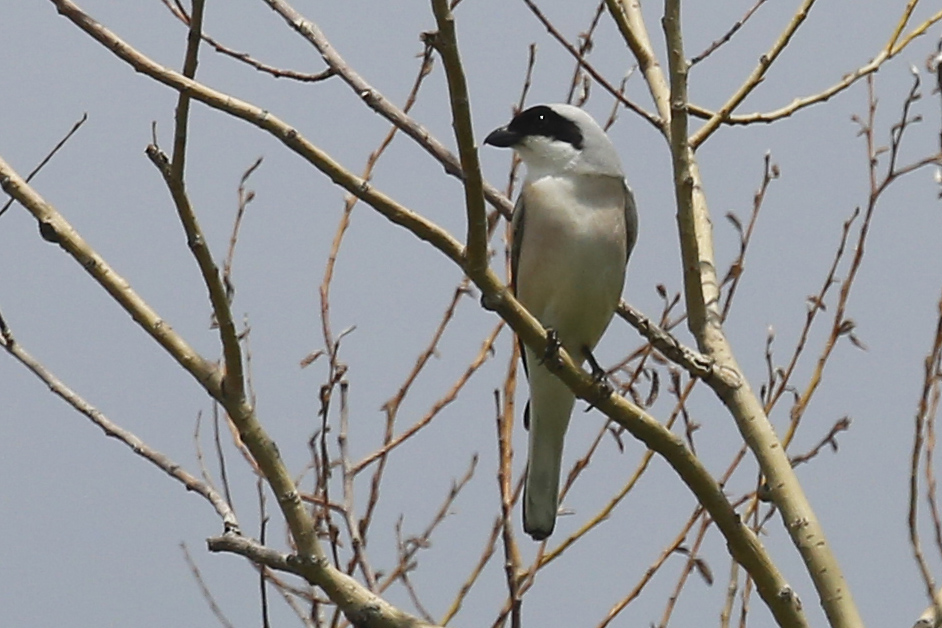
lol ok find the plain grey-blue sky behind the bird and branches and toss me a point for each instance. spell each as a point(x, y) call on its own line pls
point(92, 532)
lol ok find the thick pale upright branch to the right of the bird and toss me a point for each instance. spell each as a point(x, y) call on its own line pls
point(704, 321)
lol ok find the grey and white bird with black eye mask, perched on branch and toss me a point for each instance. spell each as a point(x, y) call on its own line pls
point(574, 226)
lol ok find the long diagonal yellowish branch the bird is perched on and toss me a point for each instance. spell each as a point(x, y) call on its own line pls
point(743, 544)
